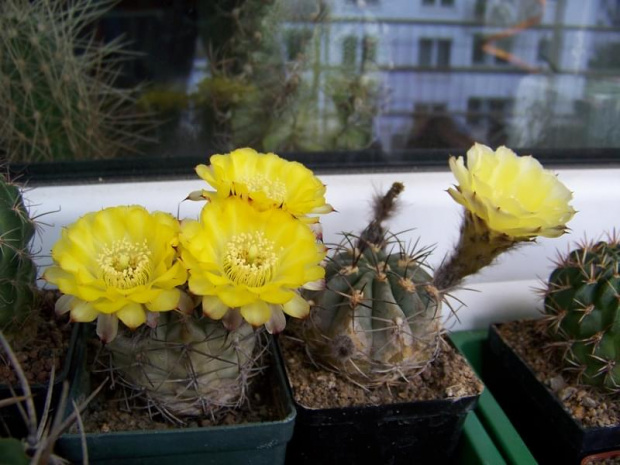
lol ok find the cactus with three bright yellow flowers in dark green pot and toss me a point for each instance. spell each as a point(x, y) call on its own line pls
point(180, 306)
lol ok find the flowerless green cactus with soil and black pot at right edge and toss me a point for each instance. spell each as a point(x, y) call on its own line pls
point(566, 365)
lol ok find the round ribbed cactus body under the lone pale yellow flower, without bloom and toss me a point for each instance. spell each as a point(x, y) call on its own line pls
point(379, 318)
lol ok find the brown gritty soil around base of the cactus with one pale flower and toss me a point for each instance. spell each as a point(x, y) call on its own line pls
point(449, 376)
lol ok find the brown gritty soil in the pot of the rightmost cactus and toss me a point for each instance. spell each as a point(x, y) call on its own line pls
point(588, 405)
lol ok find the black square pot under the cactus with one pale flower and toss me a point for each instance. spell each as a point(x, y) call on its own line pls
point(404, 433)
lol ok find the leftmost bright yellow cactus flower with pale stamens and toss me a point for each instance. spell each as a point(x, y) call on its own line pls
point(118, 263)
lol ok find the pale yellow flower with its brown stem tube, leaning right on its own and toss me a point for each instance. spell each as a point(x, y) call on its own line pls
point(508, 200)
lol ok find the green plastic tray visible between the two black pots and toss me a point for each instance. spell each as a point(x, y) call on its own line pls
point(488, 436)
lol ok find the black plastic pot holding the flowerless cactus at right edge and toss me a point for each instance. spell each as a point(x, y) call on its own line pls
point(550, 432)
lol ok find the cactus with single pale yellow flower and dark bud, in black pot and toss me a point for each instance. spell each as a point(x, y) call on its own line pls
point(378, 321)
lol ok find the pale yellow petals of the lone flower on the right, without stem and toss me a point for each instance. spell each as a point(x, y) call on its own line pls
point(513, 195)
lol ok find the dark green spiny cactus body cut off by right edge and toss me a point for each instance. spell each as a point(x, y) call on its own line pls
point(583, 304)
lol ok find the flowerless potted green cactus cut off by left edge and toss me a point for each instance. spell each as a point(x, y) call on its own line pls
point(42, 342)
